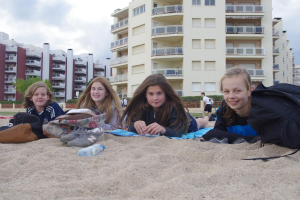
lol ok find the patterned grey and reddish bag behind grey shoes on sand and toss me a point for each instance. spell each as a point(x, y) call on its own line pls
point(64, 124)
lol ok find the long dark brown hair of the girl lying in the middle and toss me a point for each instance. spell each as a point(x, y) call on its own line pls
point(139, 104)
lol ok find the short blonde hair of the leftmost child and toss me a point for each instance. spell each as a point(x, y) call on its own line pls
point(30, 92)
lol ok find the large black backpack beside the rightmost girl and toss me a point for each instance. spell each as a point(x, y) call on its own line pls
point(275, 114)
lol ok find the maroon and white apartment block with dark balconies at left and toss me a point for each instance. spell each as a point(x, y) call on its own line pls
point(68, 73)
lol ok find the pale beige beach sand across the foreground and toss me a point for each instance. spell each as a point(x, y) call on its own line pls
point(147, 168)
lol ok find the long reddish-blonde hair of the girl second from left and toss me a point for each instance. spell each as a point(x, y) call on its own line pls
point(110, 102)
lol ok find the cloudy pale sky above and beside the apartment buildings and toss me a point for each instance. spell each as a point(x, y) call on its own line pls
point(84, 25)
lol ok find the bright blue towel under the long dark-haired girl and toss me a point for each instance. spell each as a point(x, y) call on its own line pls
point(192, 135)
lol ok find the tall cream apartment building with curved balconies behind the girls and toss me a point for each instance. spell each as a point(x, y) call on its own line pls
point(193, 42)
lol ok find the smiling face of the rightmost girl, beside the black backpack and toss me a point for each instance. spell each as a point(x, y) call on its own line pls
point(236, 94)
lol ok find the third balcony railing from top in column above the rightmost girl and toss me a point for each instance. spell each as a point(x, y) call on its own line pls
point(247, 51)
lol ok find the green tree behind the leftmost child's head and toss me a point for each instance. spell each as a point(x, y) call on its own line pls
point(21, 85)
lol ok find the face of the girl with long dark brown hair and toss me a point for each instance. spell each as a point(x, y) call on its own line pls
point(156, 97)
